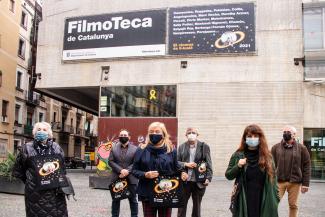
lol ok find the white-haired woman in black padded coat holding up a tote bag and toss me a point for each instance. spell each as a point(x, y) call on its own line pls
point(40, 165)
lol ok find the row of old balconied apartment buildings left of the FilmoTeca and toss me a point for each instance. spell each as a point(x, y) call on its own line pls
point(21, 107)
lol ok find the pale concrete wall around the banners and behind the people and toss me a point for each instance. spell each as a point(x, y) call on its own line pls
point(218, 94)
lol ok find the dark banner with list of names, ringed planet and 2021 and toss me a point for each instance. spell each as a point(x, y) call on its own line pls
point(228, 28)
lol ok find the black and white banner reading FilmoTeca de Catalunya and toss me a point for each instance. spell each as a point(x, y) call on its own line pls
point(128, 34)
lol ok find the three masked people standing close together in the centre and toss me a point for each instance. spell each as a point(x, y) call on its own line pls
point(158, 157)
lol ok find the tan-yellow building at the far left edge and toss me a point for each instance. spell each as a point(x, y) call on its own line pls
point(10, 12)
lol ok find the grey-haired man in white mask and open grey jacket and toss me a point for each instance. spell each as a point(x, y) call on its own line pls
point(189, 155)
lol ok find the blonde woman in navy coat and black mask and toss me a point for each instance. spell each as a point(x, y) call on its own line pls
point(156, 157)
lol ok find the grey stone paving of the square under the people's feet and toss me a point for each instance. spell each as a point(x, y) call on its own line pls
point(97, 203)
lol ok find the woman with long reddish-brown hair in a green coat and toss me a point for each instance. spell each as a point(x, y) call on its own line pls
point(252, 167)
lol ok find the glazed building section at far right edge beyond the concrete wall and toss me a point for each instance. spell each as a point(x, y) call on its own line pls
point(314, 62)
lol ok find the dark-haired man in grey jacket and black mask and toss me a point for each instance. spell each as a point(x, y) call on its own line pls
point(121, 161)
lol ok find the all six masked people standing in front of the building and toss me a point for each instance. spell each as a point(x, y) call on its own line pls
point(261, 176)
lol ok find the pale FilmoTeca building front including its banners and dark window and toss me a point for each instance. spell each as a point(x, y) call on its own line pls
point(215, 65)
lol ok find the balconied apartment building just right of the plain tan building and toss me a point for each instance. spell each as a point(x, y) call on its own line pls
point(30, 107)
